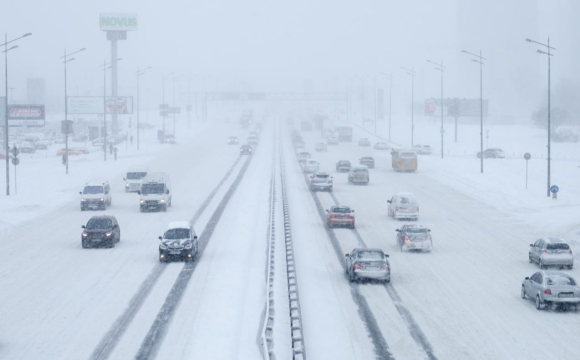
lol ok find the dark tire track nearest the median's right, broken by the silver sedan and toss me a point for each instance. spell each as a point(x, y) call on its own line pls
point(381, 348)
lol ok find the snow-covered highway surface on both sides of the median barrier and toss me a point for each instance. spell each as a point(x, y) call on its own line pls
point(461, 301)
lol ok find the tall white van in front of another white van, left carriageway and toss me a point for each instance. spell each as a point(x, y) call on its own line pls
point(155, 193)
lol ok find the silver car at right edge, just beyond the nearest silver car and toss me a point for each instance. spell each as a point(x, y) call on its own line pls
point(551, 252)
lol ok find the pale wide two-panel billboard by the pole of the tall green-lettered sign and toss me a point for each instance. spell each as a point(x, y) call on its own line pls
point(94, 104)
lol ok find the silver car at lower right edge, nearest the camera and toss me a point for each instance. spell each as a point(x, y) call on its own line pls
point(551, 287)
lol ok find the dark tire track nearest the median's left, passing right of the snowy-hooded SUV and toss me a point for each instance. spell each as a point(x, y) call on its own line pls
point(154, 337)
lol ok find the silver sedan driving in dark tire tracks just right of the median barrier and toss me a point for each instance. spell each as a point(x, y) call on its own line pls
point(368, 264)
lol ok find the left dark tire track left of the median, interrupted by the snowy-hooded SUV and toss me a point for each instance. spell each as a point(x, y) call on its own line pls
point(113, 336)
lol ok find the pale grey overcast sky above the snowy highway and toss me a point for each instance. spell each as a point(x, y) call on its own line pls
point(275, 45)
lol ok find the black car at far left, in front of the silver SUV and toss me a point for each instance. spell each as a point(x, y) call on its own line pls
point(101, 231)
